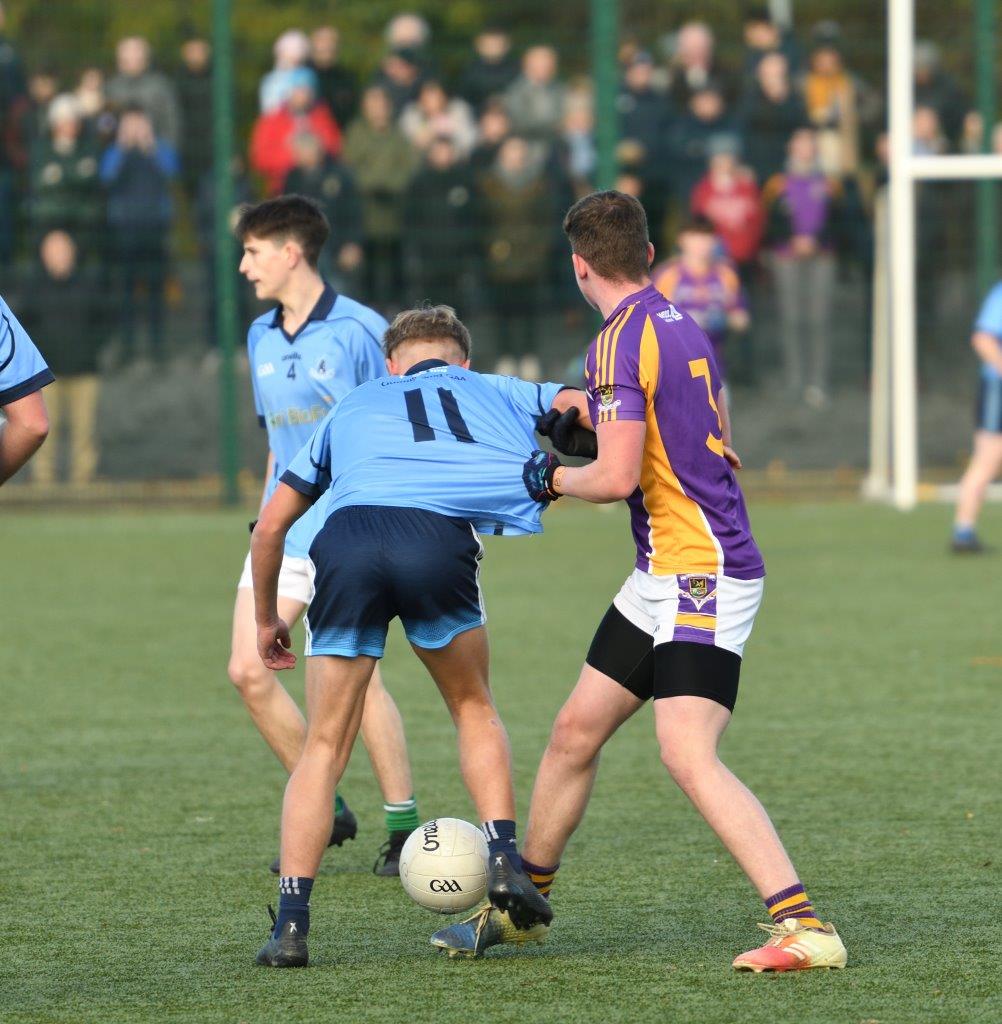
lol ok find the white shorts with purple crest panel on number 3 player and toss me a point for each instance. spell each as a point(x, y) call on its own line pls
point(694, 608)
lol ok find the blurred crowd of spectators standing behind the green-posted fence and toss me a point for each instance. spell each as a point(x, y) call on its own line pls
point(759, 180)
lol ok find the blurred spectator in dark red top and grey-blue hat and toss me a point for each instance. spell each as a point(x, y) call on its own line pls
point(728, 197)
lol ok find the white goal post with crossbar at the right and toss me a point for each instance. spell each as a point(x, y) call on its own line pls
point(894, 420)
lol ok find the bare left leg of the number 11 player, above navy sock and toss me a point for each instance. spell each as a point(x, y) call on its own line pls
point(335, 698)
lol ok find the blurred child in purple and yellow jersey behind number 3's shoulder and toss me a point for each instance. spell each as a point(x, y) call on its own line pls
point(706, 286)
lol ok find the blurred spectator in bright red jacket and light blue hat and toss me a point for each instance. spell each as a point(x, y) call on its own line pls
point(273, 152)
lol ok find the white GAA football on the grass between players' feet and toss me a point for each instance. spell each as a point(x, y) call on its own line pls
point(444, 866)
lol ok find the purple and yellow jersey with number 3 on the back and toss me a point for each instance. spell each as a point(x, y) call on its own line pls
point(651, 363)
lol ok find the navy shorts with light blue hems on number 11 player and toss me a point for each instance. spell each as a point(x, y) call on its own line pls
point(375, 564)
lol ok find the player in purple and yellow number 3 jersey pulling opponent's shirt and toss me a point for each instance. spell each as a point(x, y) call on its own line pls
point(676, 632)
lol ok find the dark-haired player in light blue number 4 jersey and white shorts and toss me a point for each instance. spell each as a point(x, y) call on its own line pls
point(306, 357)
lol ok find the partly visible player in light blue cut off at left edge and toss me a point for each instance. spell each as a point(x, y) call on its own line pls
point(25, 423)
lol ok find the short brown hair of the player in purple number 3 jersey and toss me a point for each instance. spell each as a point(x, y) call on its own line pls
point(608, 230)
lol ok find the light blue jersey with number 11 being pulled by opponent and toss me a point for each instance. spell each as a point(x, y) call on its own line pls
point(441, 439)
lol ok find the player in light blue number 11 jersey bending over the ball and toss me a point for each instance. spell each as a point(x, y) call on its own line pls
point(418, 463)
